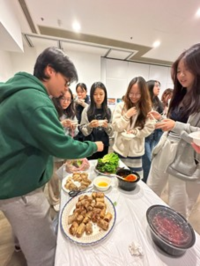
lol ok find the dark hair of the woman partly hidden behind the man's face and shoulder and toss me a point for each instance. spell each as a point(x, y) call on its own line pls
point(69, 112)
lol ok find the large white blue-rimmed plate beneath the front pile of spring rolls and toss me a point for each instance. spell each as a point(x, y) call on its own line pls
point(98, 234)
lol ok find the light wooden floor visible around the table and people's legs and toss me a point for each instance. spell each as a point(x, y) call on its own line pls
point(8, 257)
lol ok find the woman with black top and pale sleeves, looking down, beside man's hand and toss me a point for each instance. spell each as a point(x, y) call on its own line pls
point(96, 118)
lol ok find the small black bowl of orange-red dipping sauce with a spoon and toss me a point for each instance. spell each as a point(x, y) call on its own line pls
point(127, 180)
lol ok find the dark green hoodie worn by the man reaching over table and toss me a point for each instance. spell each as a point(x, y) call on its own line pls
point(30, 135)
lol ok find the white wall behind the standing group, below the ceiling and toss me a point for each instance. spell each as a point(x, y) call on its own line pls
point(115, 74)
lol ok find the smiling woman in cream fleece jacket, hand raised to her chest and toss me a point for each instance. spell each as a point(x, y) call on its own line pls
point(131, 116)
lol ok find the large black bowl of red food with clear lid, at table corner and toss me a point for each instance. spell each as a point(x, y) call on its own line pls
point(169, 230)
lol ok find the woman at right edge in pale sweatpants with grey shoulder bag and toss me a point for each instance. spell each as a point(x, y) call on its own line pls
point(174, 159)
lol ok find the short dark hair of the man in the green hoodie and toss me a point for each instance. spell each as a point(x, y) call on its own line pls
point(57, 59)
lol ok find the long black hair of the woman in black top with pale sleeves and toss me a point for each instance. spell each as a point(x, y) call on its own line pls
point(92, 107)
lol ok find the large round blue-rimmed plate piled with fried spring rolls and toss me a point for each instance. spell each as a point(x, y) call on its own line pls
point(88, 218)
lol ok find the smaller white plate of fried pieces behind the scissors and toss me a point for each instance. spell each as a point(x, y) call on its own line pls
point(76, 182)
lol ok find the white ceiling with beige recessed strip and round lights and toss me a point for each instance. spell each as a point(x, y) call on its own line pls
point(119, 29)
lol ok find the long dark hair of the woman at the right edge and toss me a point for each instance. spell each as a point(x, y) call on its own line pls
point(191, 59)
